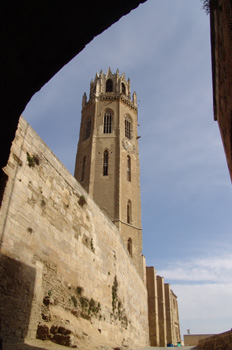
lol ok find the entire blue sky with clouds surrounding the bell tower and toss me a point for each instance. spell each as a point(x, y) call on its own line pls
point(164, 48)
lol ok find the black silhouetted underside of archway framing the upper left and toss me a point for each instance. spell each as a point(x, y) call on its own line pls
point(37, 39)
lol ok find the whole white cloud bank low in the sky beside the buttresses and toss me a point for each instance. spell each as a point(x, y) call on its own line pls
point(204, 292)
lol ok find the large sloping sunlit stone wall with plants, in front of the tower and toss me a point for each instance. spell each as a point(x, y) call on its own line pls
point(62, 260)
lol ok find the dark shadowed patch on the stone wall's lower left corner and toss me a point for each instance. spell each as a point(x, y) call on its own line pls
point(16, 297)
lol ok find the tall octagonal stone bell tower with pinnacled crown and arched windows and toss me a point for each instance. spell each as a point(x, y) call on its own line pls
point(107, 161)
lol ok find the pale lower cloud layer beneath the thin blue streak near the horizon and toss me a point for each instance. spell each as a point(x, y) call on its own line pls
point(204, 309)
